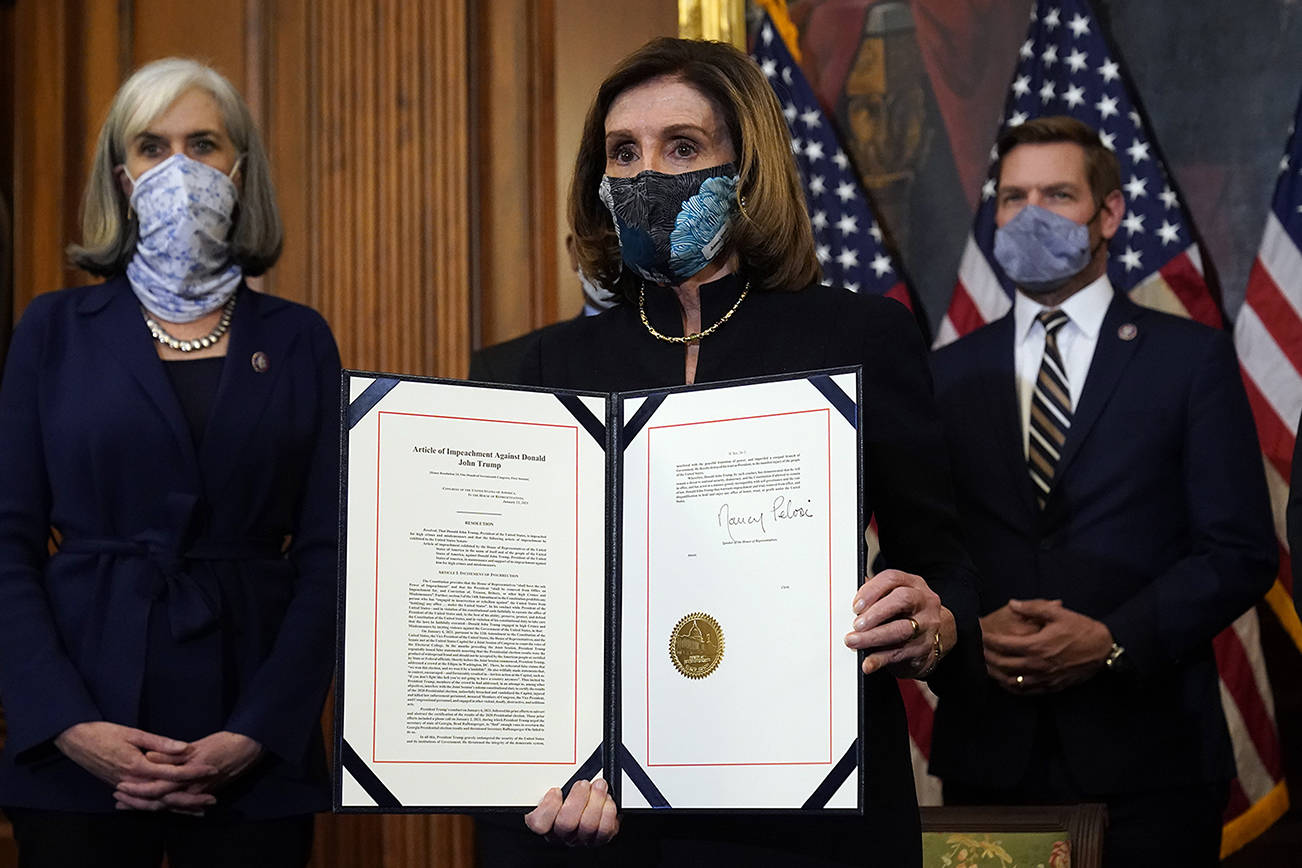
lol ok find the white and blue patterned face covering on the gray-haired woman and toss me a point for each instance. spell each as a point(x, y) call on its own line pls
point(183, 269)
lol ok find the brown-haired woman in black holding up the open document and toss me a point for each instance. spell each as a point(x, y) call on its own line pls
point(686, 198)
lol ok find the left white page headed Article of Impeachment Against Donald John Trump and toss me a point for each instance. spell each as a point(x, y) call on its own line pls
point(476, 594)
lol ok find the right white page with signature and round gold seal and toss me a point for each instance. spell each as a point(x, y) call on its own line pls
point(741, 516)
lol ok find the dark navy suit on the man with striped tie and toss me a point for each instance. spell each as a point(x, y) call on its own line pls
point(1158, 525)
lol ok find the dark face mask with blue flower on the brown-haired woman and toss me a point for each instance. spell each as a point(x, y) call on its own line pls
point(672, 226)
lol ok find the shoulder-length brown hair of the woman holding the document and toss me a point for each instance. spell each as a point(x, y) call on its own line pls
point(773, 235)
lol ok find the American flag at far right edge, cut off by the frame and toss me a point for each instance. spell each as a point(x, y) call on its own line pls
point(1269, 338)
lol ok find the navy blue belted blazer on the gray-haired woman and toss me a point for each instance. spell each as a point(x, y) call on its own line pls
point(94, 444)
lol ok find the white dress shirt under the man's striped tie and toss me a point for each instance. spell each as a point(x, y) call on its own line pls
point(1076, 342)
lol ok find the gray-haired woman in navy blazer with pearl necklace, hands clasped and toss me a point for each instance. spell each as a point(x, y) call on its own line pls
point(167, 524)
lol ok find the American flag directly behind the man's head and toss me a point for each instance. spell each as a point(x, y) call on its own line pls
point(1067, 68)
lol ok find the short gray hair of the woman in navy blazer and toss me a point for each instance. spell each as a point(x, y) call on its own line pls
point(109, 232)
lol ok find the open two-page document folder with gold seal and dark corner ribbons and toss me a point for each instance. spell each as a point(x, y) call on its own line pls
point(542, 588)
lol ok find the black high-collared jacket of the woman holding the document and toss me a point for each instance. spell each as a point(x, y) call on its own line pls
point(907, 489)
